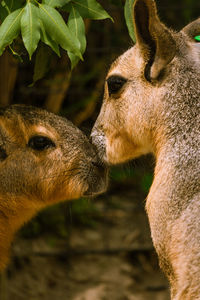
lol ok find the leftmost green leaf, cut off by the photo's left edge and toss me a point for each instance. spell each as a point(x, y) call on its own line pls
point(10, 28)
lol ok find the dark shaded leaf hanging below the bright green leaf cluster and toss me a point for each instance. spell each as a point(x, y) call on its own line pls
point(41, 66)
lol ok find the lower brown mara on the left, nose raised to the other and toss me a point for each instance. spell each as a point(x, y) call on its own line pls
point(44, 159)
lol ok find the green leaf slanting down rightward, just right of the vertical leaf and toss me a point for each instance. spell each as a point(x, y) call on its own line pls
point(56, 28)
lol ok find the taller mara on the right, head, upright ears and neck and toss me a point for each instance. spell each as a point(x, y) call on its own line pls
point(156, 108)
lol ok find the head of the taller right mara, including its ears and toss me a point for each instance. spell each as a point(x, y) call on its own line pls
point(150, 89)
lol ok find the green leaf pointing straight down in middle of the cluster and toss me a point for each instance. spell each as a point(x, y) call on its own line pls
point(30, 27)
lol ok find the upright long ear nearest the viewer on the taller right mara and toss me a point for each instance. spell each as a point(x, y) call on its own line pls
point(154, 39)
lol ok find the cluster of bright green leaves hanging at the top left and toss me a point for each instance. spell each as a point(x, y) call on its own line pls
point(41, 20)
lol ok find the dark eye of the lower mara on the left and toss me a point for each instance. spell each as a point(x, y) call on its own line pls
point(40, 143)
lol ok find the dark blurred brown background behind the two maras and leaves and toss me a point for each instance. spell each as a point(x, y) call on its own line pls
point(90, 249)
